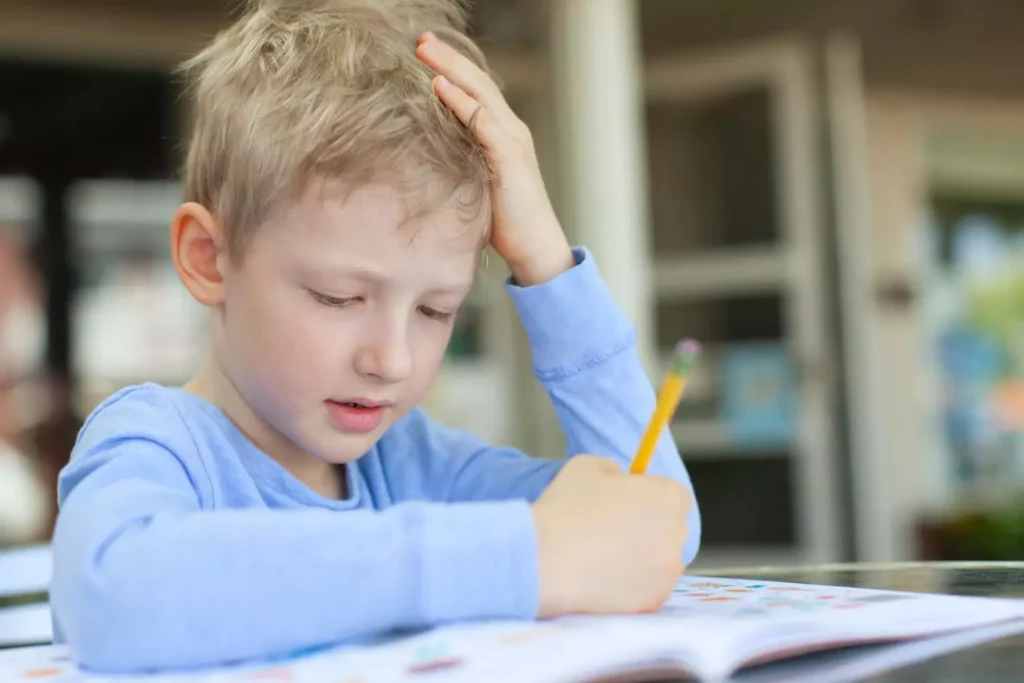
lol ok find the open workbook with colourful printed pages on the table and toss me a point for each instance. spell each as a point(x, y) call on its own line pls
point(709, 630)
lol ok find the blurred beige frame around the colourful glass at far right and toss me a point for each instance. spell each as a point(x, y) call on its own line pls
point(903, 474)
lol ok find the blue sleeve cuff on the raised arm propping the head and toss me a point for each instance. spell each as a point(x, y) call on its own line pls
point(573, 320)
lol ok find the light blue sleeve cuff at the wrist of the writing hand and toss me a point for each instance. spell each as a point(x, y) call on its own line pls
point(482, 563)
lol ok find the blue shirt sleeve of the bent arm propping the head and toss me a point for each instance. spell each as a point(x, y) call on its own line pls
point(585, 355)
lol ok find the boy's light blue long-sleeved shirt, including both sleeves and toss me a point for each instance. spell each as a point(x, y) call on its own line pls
point(181, 544)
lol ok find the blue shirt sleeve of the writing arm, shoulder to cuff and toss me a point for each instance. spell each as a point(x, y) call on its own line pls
point(149, 577)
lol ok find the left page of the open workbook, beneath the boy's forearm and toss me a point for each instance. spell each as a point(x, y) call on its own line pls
point(497, 653)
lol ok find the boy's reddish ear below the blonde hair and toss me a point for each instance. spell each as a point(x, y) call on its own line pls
point(199, 252)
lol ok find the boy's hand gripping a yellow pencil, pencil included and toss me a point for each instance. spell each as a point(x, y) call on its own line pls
point(610, 542)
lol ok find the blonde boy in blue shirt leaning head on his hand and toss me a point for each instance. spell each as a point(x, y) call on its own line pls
point(346, 170)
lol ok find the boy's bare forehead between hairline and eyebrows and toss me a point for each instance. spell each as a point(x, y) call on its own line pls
point(382, 228)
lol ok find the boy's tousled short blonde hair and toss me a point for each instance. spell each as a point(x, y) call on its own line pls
point(296, 91)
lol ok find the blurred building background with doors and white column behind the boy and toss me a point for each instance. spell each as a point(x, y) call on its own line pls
point(828, 194)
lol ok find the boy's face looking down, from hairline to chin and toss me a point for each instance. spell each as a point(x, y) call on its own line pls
point(339, 315)
